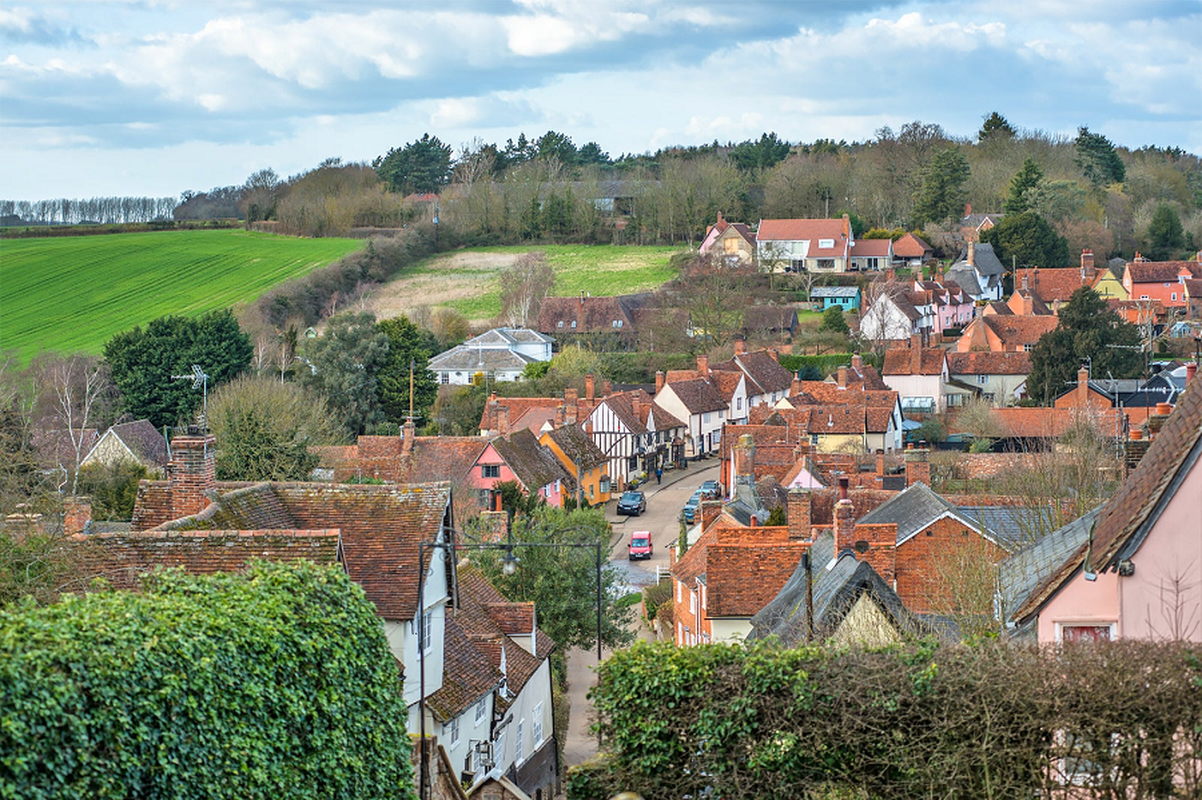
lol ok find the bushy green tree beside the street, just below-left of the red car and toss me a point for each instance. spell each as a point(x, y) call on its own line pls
point(562, 581)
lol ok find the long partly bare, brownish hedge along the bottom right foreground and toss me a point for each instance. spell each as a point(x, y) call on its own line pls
point(990, 720)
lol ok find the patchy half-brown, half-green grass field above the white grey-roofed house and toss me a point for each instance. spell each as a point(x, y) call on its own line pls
point(469, 280)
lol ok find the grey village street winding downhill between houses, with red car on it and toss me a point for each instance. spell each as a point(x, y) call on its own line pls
point(662, 518)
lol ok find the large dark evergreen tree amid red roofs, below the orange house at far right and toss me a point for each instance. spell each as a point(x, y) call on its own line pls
point(1087, 331)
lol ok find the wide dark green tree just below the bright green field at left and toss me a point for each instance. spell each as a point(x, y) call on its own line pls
point(144, 362)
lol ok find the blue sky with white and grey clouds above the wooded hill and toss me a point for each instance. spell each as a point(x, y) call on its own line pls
point(153, 98)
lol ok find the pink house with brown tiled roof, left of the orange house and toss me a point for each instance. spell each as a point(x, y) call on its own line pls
point(521, 458)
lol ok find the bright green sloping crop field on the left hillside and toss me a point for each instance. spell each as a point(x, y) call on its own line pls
point(74, 294)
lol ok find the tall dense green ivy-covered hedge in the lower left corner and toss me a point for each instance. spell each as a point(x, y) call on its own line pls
point(277, 683)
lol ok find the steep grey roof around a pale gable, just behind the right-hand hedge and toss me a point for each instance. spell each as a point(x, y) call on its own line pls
point(835, 592)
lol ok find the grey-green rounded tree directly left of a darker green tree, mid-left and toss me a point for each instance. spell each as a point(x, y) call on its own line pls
point(346, 362)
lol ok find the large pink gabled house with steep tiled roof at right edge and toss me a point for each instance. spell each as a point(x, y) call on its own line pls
point(1133, 572)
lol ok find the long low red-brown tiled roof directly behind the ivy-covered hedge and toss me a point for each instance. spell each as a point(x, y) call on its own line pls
point(122, 558)
